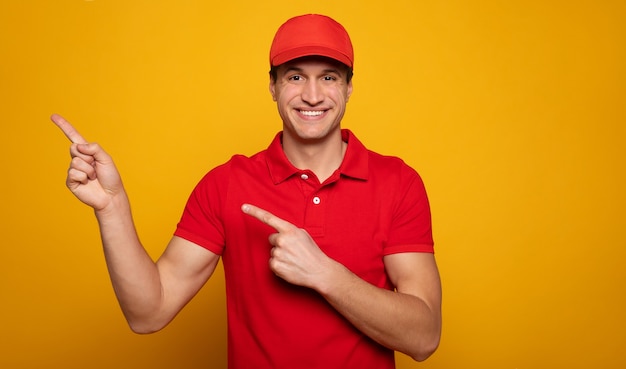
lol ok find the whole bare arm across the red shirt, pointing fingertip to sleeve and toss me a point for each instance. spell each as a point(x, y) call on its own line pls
point(406, 320)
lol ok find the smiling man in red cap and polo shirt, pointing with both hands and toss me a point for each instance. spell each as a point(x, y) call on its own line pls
point(327, 247)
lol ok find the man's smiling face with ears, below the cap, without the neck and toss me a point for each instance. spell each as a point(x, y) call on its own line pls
point(311, 94)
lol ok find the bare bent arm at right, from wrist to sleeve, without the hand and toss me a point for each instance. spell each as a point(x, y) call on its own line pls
point(406, 320)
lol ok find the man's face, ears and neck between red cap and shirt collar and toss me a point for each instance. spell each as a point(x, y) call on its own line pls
point(311, 95)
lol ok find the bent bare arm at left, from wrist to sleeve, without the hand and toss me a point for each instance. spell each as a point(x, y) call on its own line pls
point(151, 294)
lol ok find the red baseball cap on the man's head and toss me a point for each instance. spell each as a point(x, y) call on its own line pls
point(311, 34)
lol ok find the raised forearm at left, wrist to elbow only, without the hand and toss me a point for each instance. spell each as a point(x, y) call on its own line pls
point(134, 275)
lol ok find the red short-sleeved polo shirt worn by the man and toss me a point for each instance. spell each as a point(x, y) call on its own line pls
point(372, 206)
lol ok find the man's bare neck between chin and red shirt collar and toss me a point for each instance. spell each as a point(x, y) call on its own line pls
point(322, 157)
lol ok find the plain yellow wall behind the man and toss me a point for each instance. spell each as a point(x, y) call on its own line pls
point(512, 111)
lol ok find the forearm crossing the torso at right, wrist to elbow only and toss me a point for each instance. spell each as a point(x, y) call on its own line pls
point(399, 321)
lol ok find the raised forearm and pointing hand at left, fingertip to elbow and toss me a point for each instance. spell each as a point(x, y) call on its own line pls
point(94, 180)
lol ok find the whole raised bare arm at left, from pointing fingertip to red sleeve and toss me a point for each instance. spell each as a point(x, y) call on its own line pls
point(150, 294)
